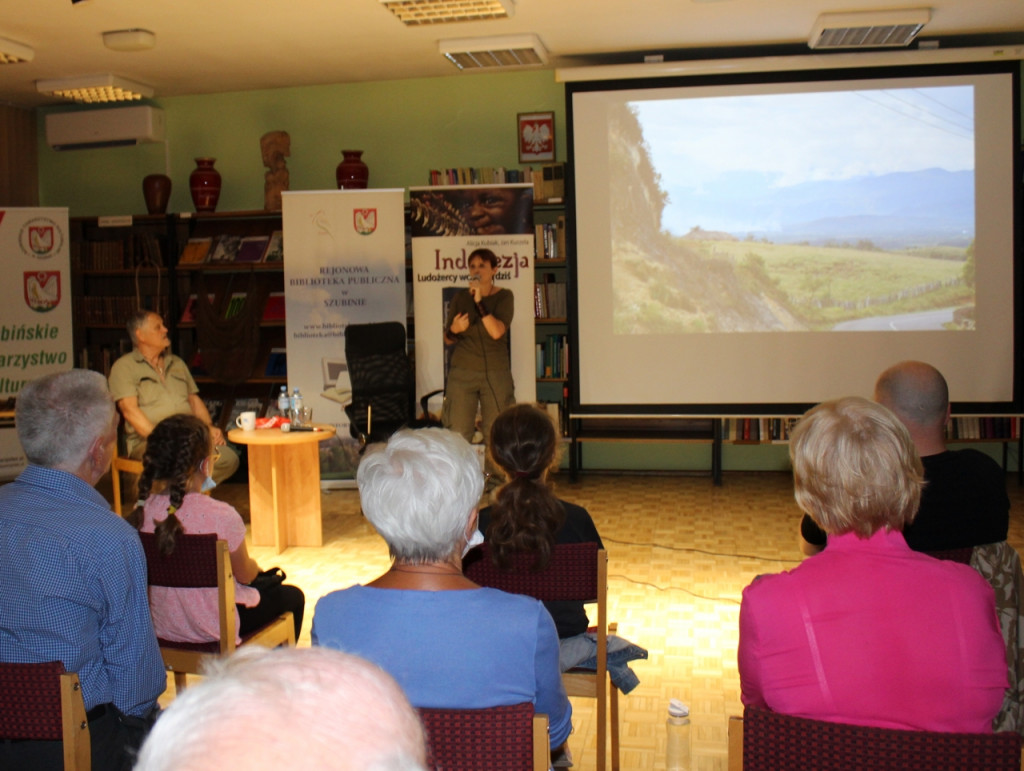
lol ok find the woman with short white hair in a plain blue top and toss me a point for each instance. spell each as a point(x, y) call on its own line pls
point(449, 642)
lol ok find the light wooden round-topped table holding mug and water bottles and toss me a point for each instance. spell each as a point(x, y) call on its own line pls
point(284, 486)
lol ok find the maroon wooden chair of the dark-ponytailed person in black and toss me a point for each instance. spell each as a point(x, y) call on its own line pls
point(576, 573)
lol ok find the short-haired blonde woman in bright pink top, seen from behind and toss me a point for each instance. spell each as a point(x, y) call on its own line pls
point(870, 632)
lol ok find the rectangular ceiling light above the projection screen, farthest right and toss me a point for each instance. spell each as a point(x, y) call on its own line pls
point(883, 29)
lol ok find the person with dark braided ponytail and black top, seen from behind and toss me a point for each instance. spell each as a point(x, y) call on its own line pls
point(527, 517)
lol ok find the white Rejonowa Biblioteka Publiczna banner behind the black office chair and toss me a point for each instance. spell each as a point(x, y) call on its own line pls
point(345, 264)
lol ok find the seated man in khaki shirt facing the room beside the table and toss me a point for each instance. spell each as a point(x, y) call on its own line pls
point(151, 383)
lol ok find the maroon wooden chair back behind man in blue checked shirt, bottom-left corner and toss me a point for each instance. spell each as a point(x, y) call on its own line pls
point(42, 703)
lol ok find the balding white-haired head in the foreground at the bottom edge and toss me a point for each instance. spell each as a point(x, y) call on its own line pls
point(296, 709)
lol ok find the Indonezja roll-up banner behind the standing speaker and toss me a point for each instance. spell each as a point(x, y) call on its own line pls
point(448, 224)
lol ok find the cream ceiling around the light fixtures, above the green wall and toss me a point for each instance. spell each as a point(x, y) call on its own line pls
point(211, 47)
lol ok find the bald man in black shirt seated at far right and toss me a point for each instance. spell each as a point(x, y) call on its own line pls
point(965, 503)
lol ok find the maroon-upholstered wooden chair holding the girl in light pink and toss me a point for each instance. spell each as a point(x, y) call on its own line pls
point(202, 562)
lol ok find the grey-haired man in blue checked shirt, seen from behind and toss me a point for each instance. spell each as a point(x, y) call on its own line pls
point(73, 584)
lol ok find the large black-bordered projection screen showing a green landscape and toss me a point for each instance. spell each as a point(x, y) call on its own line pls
point(764, 243)
